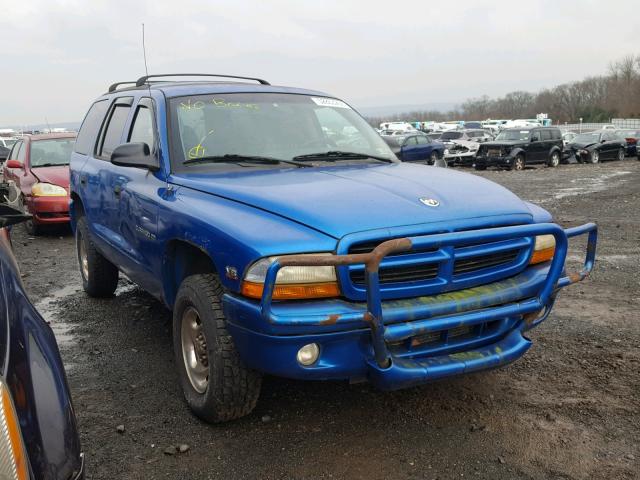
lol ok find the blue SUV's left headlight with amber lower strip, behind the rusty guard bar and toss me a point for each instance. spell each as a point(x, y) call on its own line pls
point(292, 282)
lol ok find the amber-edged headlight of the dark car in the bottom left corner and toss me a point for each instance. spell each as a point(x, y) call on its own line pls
point(13, 457)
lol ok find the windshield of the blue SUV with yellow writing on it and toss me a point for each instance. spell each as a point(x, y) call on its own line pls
point(274, 125)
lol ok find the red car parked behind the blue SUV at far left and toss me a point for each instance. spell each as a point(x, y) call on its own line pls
point(39, 166)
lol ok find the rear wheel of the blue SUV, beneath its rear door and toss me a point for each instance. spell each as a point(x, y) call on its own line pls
point(99, 275)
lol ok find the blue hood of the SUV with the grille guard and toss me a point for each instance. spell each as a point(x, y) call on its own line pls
point(345, 199)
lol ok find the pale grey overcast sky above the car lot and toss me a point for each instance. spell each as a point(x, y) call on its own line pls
point(57, 56)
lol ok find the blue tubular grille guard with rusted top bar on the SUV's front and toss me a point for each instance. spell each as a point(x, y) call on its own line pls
point(373, 314)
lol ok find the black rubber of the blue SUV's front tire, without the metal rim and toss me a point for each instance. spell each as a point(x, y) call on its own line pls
point(233, 388)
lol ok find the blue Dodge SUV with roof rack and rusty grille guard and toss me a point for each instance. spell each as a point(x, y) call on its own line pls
point(288, 239)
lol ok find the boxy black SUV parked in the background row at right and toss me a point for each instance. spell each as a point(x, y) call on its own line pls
point(513, 148)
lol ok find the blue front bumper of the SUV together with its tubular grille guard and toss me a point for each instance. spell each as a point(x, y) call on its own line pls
point(399, 343)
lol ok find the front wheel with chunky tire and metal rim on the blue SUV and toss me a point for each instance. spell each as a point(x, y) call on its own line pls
point(217, 386)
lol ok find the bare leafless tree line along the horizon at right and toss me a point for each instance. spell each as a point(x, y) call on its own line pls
point(594, 99)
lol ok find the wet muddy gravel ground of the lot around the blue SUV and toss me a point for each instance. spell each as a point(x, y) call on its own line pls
point(570, 409)
